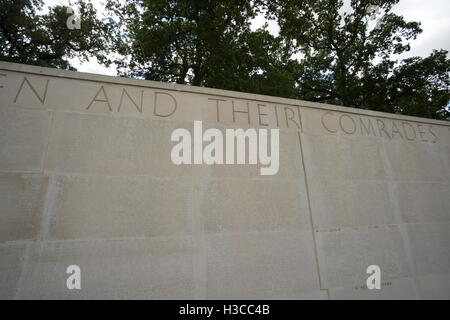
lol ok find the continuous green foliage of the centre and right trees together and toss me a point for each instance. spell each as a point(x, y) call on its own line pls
point(346, 60)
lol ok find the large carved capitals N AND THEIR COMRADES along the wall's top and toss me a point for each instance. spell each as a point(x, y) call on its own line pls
point(105, 98)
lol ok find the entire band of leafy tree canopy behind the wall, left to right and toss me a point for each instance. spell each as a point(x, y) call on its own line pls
point(326, 51)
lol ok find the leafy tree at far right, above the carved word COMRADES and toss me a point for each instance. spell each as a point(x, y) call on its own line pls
point(347, 59)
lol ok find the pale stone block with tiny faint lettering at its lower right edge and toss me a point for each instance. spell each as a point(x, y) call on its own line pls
point(345, 253)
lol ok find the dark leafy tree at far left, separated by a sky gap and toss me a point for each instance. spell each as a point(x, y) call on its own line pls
point(30, 37)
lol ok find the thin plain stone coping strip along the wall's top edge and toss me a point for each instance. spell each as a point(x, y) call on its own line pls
point(59, 73)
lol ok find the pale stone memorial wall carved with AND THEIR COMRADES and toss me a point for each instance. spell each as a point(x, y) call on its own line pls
point(87, 180)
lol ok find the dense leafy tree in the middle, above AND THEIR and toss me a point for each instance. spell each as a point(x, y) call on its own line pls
point(203, 43)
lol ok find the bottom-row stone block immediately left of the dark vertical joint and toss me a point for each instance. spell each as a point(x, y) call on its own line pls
point(266, 265)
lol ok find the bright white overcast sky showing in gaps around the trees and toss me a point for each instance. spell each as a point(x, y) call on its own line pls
point(433, 14)
